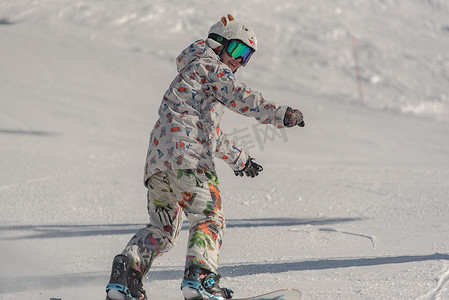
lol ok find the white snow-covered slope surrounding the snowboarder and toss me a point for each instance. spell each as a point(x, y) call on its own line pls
point(352, 206)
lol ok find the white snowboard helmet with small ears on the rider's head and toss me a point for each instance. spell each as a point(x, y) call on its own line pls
point(230, 29)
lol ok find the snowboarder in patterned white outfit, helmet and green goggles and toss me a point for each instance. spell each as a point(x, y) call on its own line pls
point(180, 172)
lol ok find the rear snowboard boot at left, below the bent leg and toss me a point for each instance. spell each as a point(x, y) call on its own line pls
point(125, 282)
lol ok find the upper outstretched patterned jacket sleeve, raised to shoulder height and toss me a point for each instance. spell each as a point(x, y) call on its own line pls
point(240, 98)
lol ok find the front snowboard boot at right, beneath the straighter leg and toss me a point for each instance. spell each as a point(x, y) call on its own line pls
point(202, 284)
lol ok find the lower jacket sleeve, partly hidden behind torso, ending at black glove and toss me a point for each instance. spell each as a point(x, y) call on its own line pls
point(230, 152)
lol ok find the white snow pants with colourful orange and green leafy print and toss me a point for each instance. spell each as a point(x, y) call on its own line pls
point(171, 195)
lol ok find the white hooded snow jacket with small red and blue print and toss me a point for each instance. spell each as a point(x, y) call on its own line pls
point(187, 134)
